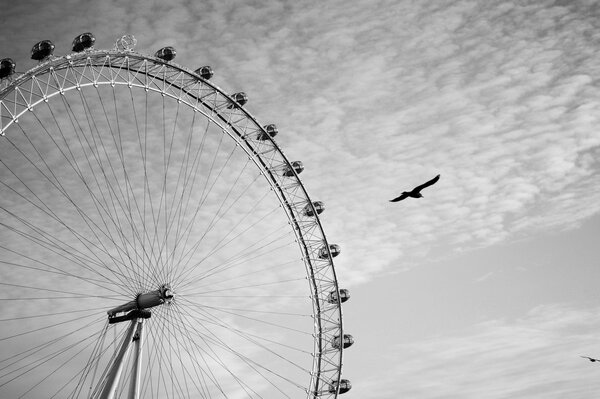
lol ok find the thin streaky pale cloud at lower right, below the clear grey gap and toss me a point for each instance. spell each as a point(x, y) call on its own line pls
point(536, 356)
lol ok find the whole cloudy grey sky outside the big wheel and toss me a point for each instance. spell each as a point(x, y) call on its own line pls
point(487, 286)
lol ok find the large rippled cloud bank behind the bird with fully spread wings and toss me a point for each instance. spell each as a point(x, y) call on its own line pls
point(500, 99)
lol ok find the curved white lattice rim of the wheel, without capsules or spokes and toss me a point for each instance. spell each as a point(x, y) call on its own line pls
point(56, 77)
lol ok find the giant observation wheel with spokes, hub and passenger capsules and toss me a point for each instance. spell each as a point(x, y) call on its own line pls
point(155, 241)
